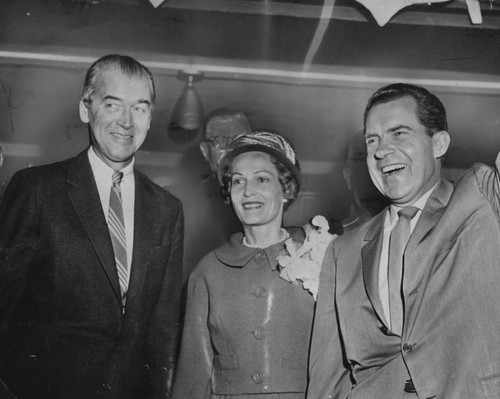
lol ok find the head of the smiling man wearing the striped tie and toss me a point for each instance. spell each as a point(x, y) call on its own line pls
point(117, 103)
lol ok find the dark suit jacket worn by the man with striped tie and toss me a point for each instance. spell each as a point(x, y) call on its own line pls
point(63, 334)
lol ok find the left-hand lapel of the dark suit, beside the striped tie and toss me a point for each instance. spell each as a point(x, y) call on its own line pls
point(85, 198)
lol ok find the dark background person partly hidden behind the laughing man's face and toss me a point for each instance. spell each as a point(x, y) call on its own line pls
point(366, 200)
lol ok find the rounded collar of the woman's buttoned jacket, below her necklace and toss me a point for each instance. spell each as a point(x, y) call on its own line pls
point(233, 253)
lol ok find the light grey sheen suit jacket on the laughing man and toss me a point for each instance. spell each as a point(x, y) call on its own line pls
point(450, 344)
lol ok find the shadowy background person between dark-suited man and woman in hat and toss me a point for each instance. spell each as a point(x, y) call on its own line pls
point(209, 222)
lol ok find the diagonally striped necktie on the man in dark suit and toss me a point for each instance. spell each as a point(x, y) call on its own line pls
point(117, 231)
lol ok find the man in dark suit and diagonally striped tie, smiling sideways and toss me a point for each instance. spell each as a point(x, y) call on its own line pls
point(91, 258)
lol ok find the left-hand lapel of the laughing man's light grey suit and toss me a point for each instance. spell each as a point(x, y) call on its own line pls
point(370, 258)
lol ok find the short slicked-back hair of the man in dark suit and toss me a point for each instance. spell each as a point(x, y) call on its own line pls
point(127, 65)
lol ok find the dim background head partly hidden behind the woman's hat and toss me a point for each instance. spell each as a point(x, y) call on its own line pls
point(220, 127)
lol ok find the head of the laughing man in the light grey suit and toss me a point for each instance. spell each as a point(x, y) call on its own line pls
point(406, 137)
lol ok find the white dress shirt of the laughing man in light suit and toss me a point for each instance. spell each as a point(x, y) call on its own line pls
point(391, 218)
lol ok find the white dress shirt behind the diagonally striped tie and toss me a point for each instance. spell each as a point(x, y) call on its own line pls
point(103, 177)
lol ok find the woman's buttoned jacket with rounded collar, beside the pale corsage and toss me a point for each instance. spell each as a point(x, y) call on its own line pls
point(246, 330)
